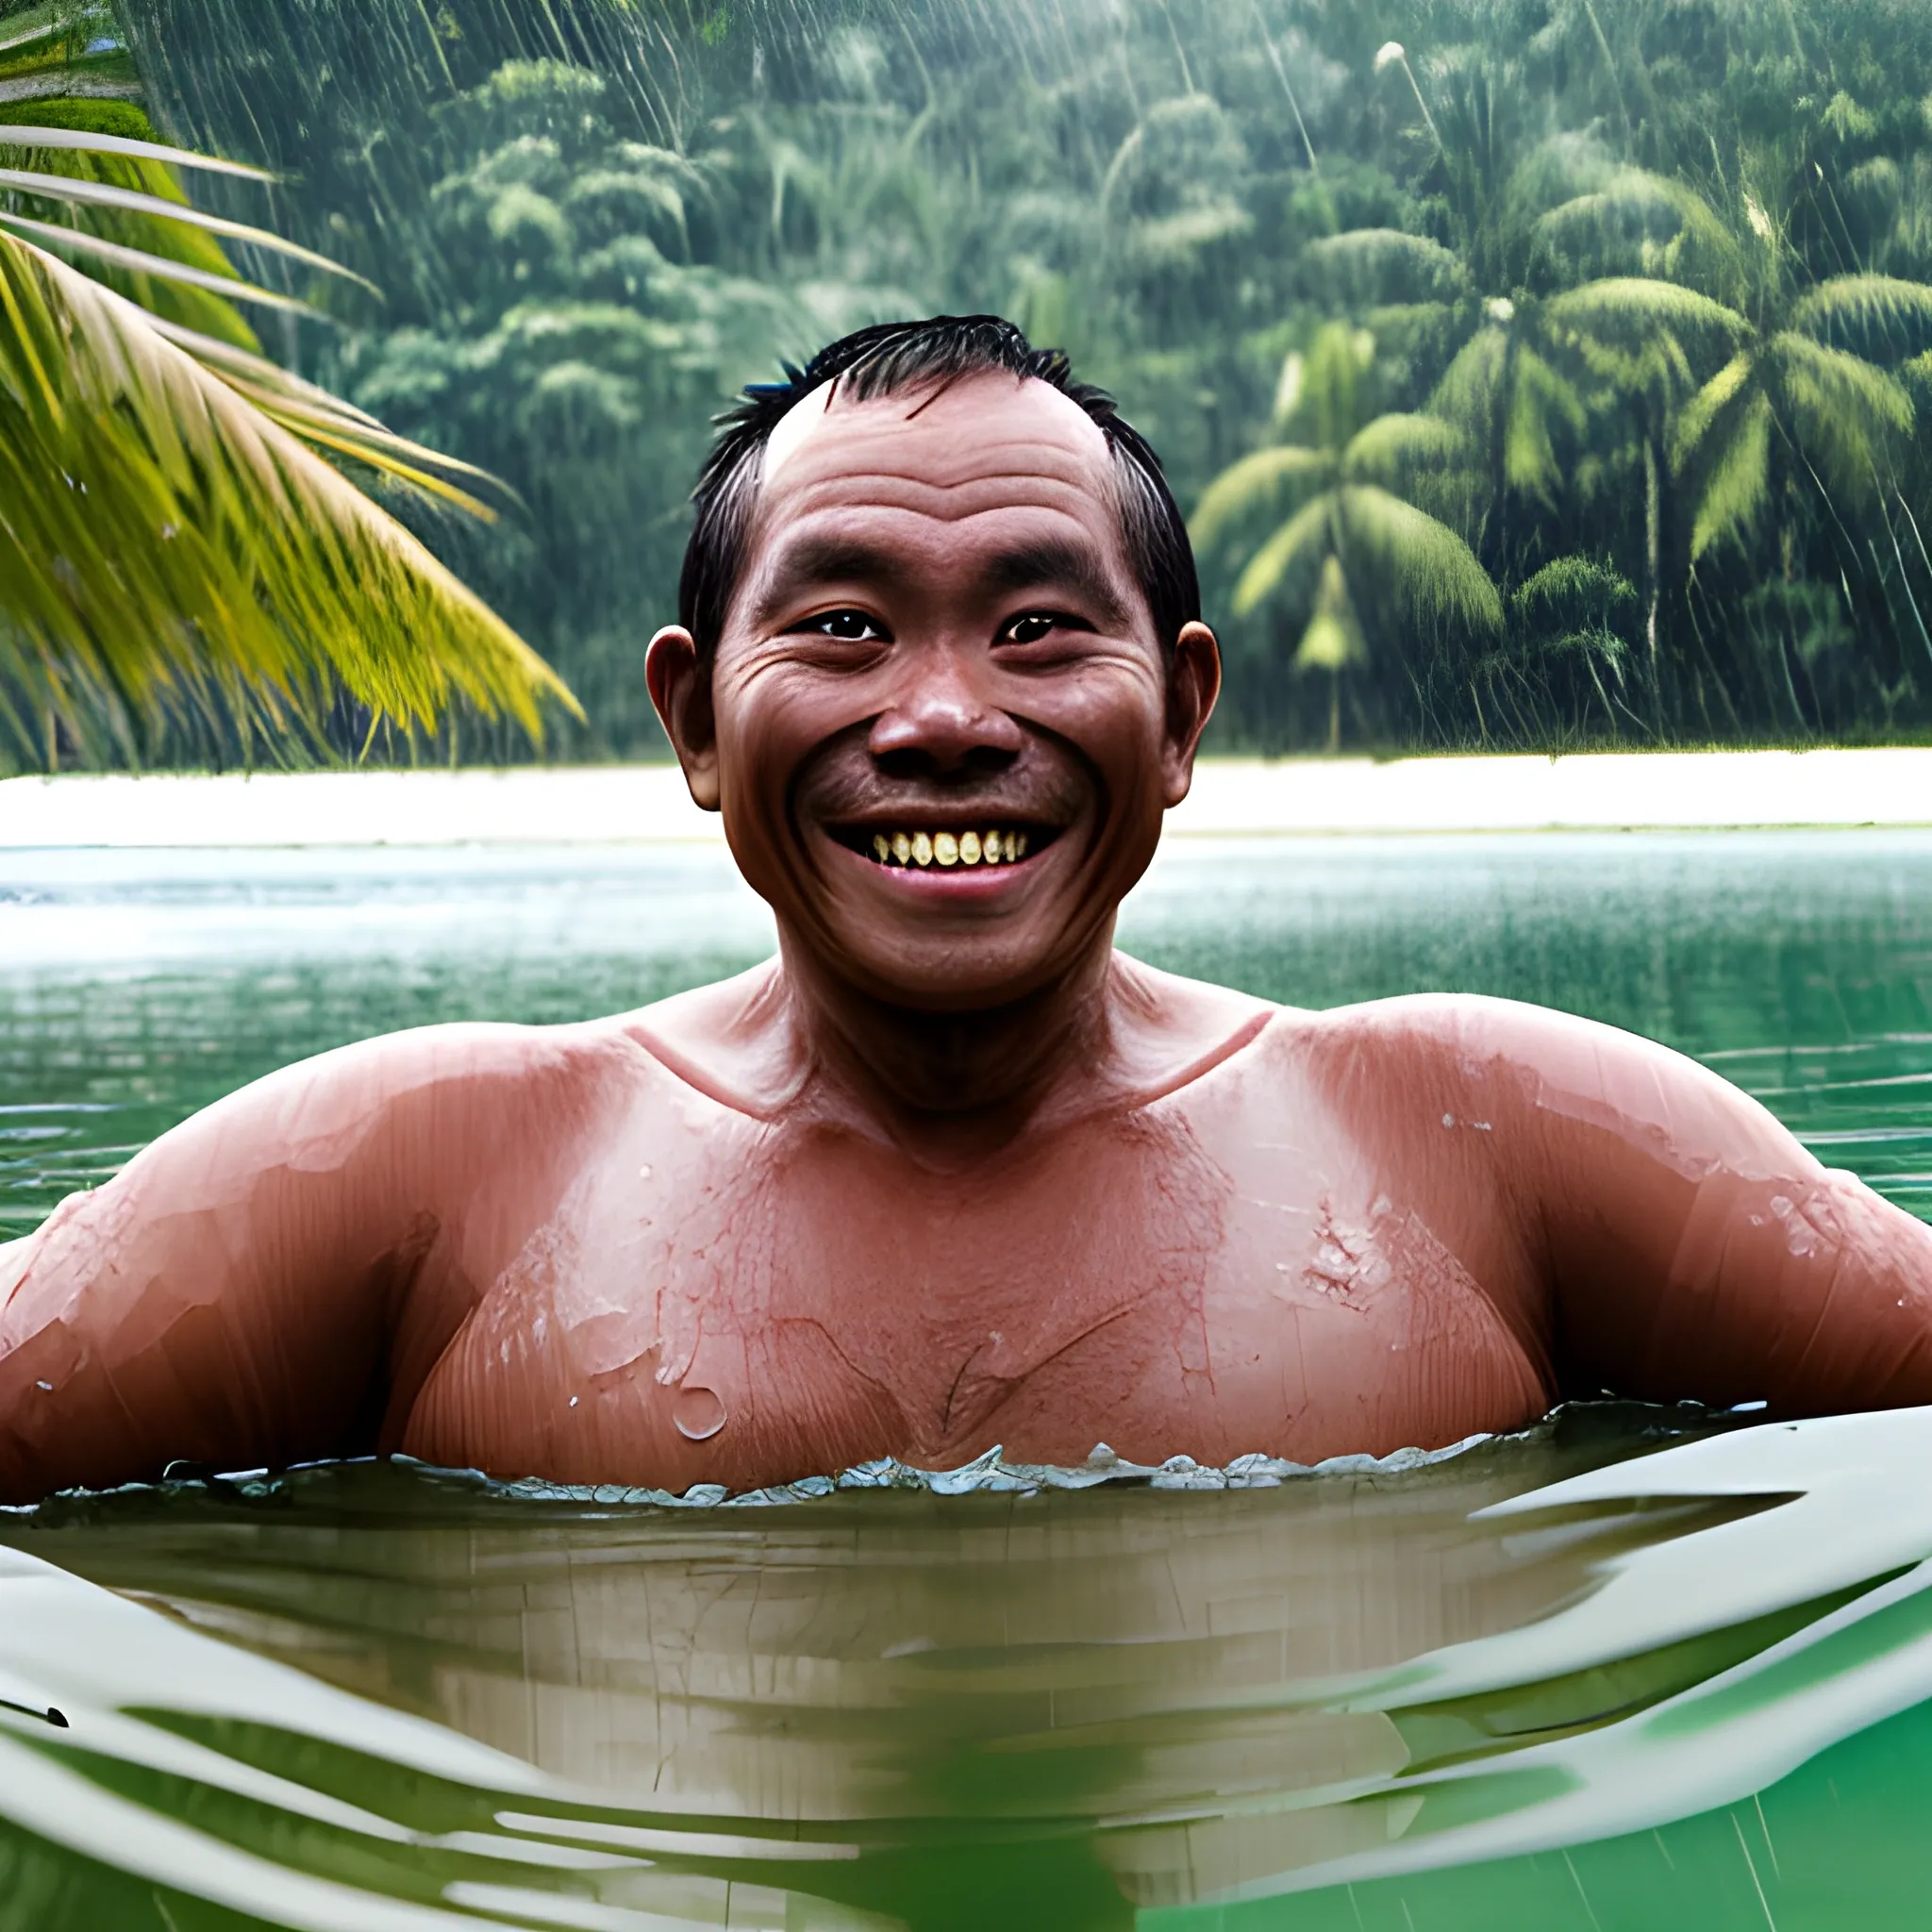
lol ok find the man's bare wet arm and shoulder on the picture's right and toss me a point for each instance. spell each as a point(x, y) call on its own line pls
point(1690, 1245)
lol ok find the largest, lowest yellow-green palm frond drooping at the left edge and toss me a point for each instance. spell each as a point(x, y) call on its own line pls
point(161, 532)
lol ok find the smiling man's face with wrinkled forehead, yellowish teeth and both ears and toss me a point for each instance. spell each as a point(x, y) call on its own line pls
point(942, 729)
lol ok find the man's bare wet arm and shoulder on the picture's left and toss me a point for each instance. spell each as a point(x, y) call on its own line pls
point(275, 1280)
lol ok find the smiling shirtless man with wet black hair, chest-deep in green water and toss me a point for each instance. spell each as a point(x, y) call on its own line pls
point(950, 1172)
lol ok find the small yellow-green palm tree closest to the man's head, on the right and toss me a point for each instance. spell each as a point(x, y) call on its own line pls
point(1353, 557)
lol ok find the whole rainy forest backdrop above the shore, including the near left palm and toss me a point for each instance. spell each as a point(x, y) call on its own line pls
point(1533, 374)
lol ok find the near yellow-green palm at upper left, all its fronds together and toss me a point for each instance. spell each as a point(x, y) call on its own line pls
point(175, 528)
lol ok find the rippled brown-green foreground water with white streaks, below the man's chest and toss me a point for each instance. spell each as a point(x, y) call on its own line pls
point(387, 1695)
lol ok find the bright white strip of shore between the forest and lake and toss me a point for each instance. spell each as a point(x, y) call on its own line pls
point(1234, 797)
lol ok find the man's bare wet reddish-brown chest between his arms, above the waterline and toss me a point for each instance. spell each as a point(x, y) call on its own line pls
point(801, 1301)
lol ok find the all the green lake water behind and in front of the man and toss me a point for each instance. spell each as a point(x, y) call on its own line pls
point(1632, 1670)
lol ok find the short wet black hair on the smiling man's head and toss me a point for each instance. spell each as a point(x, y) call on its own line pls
point(894, 358)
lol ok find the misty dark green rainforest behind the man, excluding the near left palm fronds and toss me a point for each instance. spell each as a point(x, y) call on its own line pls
point(1541, 370)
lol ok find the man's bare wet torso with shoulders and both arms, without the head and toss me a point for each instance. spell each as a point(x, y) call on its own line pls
point(611, 1253)
